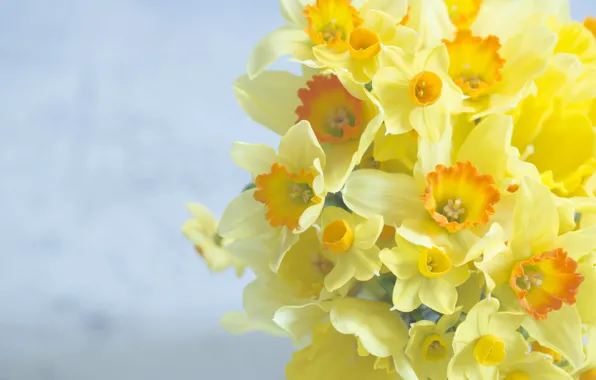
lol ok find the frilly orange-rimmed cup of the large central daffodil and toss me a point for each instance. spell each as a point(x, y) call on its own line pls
point(459, 197)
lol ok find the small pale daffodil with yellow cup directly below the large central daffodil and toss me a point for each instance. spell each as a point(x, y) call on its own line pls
point(424, 275)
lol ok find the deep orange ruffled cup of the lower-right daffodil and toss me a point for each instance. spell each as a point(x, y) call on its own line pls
point(546, 281)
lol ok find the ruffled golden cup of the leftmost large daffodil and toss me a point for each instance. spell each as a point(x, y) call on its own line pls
point(286, 195)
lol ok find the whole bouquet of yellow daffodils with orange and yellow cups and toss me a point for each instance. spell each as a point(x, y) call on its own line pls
point(430, 211)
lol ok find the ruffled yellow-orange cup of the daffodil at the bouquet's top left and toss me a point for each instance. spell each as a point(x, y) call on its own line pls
point(331, 22)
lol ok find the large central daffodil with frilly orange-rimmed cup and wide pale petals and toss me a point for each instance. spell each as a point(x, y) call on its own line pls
point(449, 201)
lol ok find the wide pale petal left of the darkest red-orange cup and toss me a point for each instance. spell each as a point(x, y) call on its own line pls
point(270, 99)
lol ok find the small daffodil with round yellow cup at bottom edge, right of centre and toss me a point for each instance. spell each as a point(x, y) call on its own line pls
point(485, 340)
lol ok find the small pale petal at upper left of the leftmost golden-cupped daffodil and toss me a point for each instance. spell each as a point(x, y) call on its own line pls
point(256, 158)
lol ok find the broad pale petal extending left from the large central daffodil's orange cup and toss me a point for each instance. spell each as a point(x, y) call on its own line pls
point(393, 196)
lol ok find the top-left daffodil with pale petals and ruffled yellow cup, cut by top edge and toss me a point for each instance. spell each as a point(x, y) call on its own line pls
point(329, 23)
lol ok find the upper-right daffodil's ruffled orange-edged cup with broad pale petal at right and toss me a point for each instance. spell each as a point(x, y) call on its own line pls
point(496, 75)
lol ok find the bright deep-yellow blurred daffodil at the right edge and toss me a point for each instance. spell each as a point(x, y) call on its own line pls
point(565, 157)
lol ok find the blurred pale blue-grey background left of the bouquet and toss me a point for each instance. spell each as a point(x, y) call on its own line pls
point(113, 115)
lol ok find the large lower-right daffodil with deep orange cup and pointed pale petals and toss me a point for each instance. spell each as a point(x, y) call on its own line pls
point(543, 273)
